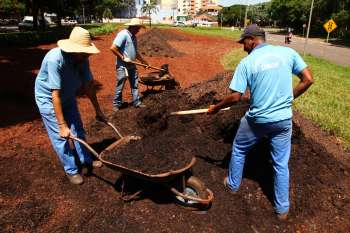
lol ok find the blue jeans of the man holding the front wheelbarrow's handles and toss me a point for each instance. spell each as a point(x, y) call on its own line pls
point(61, 145)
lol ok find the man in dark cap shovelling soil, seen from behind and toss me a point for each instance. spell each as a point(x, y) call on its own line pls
point(267, 72)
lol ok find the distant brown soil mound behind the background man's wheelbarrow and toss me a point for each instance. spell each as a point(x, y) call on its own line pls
point(154, 43)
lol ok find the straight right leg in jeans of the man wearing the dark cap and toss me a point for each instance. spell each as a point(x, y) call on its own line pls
point(280, 139)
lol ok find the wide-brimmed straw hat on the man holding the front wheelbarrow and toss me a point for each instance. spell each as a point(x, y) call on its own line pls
point(79, 42)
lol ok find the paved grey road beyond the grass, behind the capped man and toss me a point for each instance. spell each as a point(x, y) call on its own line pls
point(317, 47)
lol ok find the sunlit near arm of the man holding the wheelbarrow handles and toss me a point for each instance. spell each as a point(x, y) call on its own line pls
point(56, 101)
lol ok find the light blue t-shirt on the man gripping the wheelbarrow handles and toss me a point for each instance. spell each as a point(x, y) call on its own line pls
point(58, 71)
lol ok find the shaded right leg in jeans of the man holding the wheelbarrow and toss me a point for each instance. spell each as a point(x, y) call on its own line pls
point(73, 119)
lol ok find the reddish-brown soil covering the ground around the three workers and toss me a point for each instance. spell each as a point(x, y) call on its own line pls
point(35, 195)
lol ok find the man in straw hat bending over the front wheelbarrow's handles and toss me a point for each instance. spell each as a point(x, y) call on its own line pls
point(63, 71)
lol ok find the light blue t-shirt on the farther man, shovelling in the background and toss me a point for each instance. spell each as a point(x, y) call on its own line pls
point(127, 45)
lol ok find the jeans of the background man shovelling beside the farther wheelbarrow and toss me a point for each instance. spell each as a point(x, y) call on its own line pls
point(133, 80)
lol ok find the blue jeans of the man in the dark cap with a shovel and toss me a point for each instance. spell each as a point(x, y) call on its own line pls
point(279, 135)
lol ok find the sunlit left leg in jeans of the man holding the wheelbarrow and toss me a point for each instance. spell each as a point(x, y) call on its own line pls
point(60, 145)
